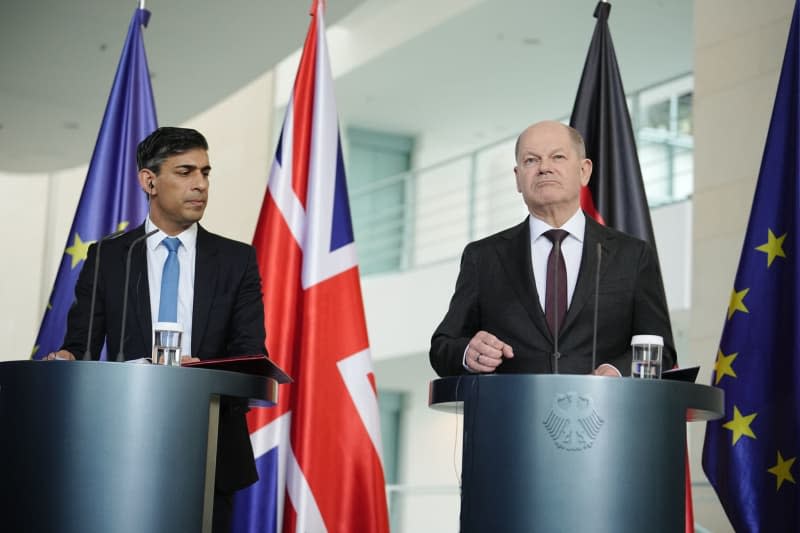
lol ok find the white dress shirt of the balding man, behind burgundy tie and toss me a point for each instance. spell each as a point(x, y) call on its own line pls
point(571, 249)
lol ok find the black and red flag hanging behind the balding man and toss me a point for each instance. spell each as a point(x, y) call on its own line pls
point(615, 195)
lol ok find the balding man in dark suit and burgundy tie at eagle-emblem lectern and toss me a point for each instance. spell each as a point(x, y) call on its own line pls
point(508, 304)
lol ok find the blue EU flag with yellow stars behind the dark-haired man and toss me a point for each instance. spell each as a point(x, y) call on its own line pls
point(111, 198)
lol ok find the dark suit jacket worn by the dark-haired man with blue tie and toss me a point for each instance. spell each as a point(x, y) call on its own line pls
point(227, 320)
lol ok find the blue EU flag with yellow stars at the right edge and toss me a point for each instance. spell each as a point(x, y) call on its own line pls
point(750, 456)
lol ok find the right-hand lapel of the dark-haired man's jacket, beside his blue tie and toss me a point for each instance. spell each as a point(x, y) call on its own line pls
point(205, 281)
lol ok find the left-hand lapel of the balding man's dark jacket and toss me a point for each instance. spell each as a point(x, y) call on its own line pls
point(515, 257)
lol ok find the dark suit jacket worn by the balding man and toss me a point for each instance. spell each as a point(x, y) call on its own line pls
point(496, 292)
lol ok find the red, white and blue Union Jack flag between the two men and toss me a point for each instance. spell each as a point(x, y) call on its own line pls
point(318, 451)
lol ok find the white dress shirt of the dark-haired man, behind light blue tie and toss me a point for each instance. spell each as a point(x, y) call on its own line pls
point(156, 256)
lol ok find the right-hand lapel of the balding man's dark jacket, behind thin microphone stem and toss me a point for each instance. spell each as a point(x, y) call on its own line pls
point(585, 287)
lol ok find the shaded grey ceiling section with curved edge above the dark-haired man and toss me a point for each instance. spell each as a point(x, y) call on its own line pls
point(58, 60)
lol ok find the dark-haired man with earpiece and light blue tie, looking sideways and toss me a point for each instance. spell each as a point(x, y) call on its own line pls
point(218, 301)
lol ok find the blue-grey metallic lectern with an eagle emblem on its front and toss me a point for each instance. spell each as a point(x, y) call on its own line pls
point(566, 453)
